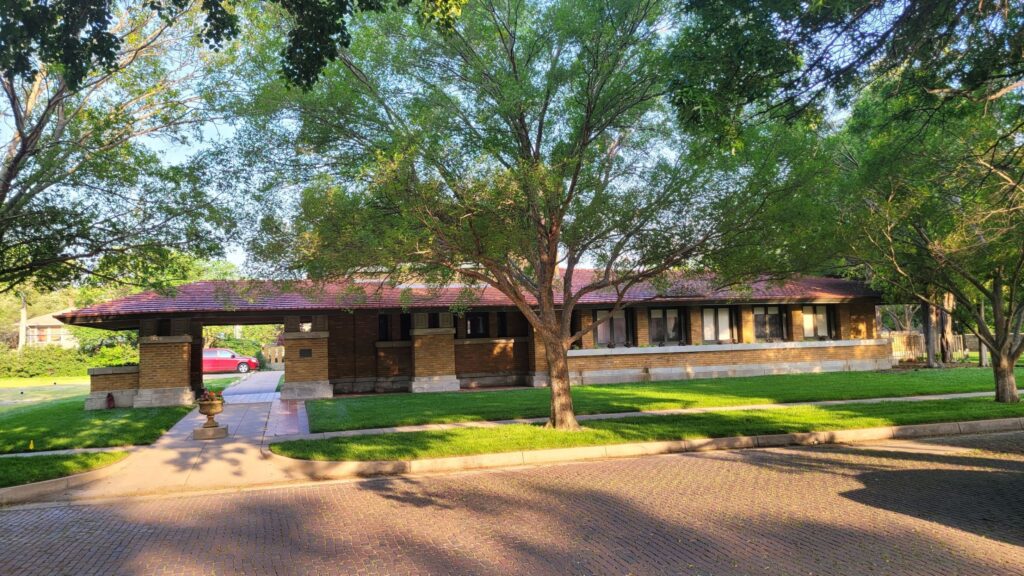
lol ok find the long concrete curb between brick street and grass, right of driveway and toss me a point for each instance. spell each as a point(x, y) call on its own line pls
point(323, 470)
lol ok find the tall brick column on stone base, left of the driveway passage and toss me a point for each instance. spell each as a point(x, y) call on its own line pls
point(164, 366)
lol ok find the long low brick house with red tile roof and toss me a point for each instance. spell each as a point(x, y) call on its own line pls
point(364, 336)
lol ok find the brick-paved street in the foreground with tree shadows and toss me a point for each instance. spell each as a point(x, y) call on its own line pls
point(937, 508)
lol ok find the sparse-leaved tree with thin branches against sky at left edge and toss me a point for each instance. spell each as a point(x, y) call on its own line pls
point(82, 189)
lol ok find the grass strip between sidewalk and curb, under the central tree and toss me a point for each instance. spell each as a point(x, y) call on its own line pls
point(461, 442)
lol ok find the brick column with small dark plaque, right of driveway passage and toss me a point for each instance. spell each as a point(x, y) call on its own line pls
point(307, 366)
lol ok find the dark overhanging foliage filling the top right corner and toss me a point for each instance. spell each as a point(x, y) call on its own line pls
point(791, 58)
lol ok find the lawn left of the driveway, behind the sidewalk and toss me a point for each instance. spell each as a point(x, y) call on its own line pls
point(64, 424)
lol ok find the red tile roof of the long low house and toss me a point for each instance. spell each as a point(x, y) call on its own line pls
point(249, 297)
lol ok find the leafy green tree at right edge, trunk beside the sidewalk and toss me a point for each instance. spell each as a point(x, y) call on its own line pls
point(934, 204)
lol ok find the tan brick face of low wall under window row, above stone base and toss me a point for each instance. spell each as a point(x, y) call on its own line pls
point(615, 362)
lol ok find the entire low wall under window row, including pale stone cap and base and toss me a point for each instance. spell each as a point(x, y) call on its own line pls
point(714, 361)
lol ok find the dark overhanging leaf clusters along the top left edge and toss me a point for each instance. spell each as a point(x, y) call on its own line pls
point(81, 37)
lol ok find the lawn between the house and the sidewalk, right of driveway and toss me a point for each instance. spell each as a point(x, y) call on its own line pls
point(392, 410)
